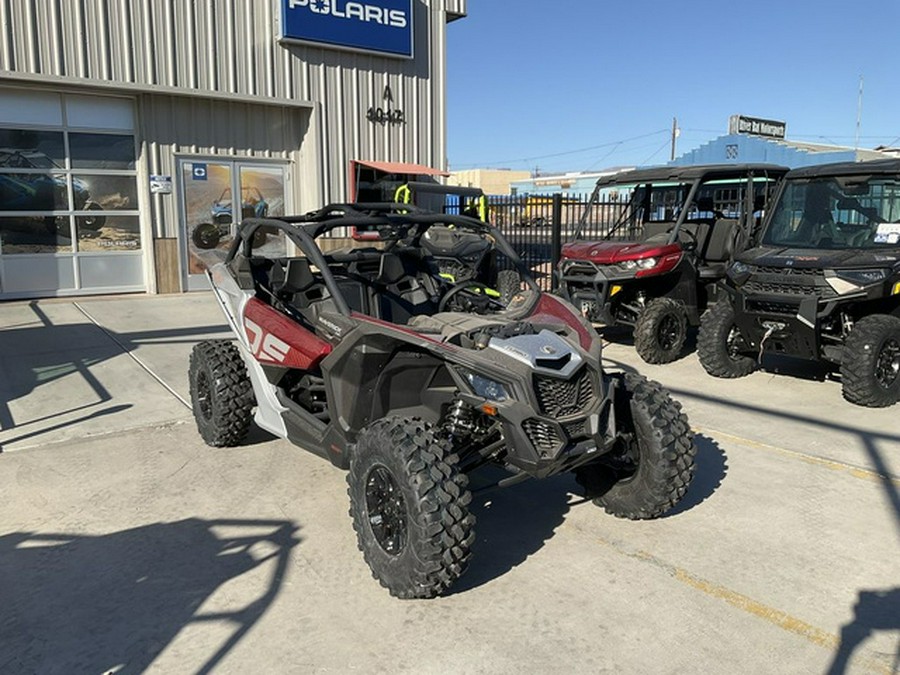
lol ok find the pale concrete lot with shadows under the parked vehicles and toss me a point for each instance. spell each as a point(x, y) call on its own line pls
point(128, 545)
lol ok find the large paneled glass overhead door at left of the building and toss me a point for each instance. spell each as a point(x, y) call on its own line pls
point(69, 211)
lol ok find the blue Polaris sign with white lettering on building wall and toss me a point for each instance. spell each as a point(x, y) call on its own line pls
point(383, 26)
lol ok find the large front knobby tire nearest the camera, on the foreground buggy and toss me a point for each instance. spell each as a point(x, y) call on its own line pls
point(410, 507)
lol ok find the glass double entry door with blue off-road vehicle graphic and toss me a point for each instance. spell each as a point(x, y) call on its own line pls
point(211, 212)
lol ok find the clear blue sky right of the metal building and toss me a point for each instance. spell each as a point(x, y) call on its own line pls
point(567, 85)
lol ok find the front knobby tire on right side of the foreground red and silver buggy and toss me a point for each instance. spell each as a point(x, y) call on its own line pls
point(647, 474)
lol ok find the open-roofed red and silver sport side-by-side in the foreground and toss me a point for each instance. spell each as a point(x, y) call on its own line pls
point(375, 359)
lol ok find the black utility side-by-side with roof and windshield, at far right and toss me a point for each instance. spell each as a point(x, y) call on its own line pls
point(823, 284)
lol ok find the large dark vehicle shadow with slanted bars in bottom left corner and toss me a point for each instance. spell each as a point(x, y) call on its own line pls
point(75, 603)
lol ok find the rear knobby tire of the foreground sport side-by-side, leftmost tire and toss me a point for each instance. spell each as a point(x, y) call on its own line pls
point(221, 393)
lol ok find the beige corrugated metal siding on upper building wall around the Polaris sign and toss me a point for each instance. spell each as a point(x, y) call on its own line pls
point(228, 47)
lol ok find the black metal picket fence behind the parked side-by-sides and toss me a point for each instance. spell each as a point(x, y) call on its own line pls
point(538, 225)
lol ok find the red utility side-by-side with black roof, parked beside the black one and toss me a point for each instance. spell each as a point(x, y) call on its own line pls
point(656, 267)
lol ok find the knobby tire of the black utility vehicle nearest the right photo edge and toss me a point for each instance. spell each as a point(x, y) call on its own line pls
point(870, 362)
